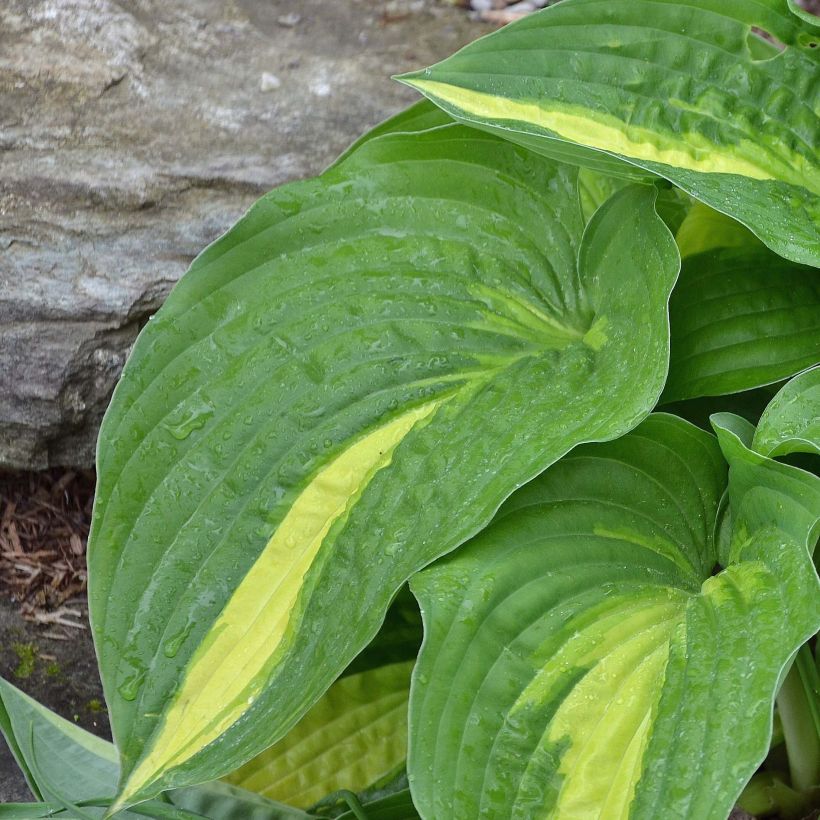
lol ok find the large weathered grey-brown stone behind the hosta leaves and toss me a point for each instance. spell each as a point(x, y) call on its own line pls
point(132, 133)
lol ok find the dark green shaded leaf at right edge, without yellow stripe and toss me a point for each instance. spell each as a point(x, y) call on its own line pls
point(741, 318)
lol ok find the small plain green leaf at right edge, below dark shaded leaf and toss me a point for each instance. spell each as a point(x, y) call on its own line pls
point(791, 422)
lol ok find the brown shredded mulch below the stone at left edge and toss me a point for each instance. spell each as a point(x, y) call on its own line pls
point(44, 521)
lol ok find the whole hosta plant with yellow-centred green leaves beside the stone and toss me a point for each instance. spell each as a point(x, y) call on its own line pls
point(544, 347)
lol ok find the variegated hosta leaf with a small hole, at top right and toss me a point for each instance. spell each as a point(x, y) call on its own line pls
point(683, 90)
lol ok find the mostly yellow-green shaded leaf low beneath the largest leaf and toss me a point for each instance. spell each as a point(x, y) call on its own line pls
point(353, 736)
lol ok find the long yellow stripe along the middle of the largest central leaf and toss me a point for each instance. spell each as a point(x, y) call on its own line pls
point(227, 671)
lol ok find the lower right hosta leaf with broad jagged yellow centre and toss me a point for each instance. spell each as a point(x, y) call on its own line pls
point(584, 657)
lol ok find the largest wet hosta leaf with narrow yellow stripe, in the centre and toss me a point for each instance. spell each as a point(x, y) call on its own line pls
point(343, 388)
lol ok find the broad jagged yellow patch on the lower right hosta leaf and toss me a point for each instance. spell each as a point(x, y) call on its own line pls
point(607, 716)
